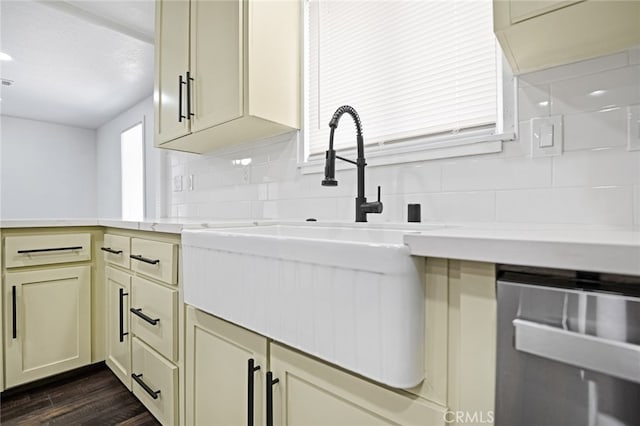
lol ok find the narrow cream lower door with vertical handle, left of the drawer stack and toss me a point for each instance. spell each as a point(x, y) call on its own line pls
point(118, 336)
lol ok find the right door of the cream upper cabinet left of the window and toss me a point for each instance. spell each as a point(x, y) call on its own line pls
point(216, 62)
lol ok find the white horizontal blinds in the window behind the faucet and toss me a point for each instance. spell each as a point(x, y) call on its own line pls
point(410, 68)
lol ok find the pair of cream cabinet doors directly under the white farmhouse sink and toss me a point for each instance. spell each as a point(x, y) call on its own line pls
point(227, 375)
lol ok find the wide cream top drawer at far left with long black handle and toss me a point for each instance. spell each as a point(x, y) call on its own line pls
point(30, 250)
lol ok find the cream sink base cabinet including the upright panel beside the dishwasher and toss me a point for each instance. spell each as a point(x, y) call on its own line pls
point(460, 342)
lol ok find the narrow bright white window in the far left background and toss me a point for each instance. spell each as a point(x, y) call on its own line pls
point(132, 165)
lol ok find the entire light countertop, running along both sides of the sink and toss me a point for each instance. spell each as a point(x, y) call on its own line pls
point(552, 246)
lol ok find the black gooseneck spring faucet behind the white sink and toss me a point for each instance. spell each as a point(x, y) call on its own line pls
point(362, 206)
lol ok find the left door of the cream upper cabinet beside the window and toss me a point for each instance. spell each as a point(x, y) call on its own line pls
point(172, 62)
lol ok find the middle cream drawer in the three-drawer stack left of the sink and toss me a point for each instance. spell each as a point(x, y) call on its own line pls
point(154, 313)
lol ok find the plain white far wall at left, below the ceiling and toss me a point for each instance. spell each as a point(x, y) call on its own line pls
point(47, 170)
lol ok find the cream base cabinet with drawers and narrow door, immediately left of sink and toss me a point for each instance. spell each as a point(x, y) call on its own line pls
point(144, 319)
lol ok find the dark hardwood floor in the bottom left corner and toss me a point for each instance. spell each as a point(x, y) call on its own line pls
point(94, 397)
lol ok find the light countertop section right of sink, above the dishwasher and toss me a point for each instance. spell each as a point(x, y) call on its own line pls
point(585, 249)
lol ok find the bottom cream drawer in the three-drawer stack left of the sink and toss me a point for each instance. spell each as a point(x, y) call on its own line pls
point(155, 382)
